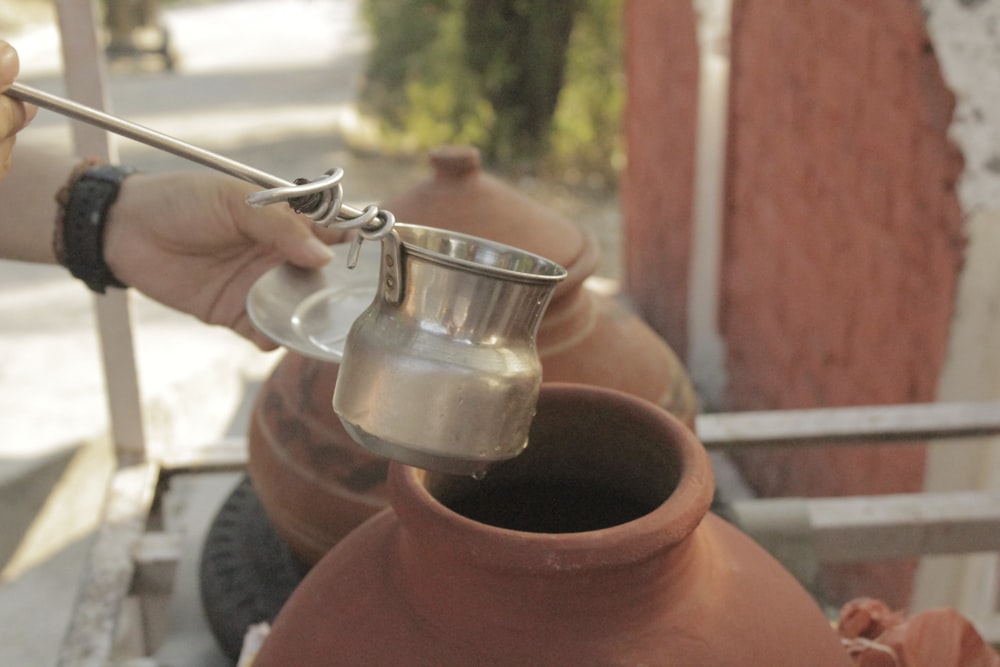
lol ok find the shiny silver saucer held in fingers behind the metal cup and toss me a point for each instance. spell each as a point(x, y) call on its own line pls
point(311, 311)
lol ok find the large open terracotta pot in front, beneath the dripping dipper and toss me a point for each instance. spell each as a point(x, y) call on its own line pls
point(594, 547)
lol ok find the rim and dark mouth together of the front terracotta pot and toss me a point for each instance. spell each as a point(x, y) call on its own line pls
point(607, 481)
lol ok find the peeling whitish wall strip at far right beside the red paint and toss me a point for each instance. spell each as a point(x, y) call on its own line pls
point(966, 38)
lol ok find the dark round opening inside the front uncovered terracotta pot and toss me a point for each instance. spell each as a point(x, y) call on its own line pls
point(582, 471)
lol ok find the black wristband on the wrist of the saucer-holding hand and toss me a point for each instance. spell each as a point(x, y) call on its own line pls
point(79, 233)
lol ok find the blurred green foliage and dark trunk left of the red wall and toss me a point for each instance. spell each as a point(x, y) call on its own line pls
point(533, 84)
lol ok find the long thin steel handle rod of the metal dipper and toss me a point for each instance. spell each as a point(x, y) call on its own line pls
point(152, 138)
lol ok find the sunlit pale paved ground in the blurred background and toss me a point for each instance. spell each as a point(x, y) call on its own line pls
point(279, 98)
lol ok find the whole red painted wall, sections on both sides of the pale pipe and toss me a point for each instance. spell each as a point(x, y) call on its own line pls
point(842, 229)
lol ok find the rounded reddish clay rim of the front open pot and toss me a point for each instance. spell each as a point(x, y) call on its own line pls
point(627, 543)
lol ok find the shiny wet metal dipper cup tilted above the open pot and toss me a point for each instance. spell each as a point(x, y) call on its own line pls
point(441, 371)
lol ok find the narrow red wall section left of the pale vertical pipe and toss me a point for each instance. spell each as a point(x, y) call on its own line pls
point(661, 62)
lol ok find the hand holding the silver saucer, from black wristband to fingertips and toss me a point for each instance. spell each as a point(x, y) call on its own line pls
point(189, 240)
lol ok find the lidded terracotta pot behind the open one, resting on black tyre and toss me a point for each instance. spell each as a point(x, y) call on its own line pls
point(315, 483)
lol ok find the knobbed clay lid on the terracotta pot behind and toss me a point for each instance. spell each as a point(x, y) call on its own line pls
point(461, 197)
